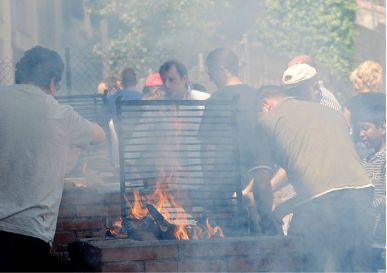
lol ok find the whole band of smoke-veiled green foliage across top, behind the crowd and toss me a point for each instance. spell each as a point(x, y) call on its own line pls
point(145, 33)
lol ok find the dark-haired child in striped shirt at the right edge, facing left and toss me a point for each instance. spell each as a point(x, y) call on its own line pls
point(372, 126)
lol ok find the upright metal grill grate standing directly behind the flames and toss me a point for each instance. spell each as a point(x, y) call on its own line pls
point(166, 142)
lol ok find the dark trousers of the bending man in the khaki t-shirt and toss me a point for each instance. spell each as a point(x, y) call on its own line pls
point(336, 231)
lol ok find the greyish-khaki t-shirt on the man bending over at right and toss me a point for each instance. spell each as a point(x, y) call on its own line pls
point(313, 145)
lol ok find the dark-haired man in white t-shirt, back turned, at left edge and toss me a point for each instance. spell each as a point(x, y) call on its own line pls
point(36, 135)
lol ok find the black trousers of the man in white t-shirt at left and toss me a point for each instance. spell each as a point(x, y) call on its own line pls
point(24, 253)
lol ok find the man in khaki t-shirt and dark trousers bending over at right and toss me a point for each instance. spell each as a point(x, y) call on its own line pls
point(333, 193)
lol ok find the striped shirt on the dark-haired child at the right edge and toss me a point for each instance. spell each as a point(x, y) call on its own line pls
point(376, 168)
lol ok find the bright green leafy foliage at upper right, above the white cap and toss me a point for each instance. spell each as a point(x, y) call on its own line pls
point(323, 29)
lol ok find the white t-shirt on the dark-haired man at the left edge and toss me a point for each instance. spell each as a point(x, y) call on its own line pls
point(36, 134)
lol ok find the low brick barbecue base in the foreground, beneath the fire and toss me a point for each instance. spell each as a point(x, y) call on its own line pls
point(238, 254)
